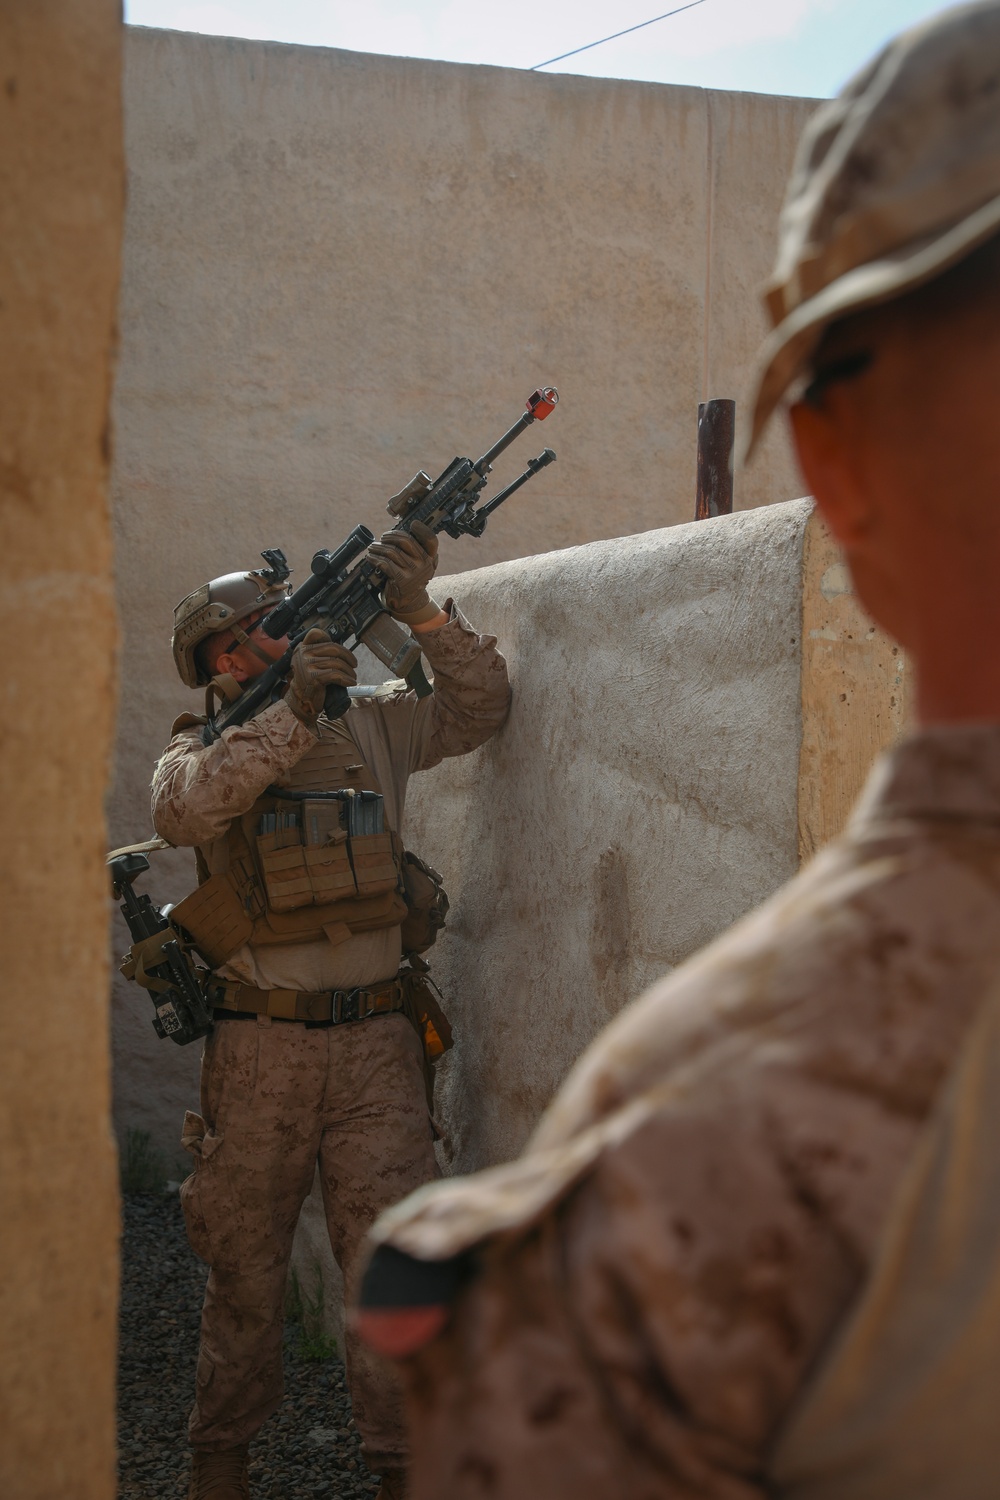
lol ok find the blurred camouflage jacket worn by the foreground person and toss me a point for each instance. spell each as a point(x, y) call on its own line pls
point(651, 1285)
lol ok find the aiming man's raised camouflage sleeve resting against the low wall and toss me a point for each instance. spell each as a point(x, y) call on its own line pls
point(472, 697)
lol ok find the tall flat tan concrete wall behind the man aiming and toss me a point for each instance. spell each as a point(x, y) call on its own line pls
point(341, 268)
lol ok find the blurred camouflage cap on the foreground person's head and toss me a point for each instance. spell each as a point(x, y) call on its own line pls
point(894, 182)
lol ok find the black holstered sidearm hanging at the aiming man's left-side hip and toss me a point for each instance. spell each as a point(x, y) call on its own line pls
point(158, 962)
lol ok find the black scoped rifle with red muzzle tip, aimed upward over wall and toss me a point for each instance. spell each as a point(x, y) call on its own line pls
point(344, 595)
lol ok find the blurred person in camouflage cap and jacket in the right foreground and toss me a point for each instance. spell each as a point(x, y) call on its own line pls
point(752, 1249)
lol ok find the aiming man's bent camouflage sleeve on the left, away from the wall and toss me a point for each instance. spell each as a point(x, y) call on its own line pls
point(199, 790)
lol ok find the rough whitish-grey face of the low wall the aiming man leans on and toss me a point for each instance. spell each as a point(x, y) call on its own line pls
point(639, 800)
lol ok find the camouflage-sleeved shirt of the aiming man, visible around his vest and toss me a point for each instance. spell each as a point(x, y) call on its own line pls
point(199, 790)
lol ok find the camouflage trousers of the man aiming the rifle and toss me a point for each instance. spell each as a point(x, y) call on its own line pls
point(280, 1099)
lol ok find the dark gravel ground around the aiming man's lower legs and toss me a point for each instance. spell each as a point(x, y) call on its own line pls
point(310, 1447)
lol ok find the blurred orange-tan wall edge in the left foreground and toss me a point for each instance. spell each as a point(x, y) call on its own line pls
point(61, 229)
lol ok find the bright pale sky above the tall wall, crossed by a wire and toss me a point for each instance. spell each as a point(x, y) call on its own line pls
point(792, 47)
